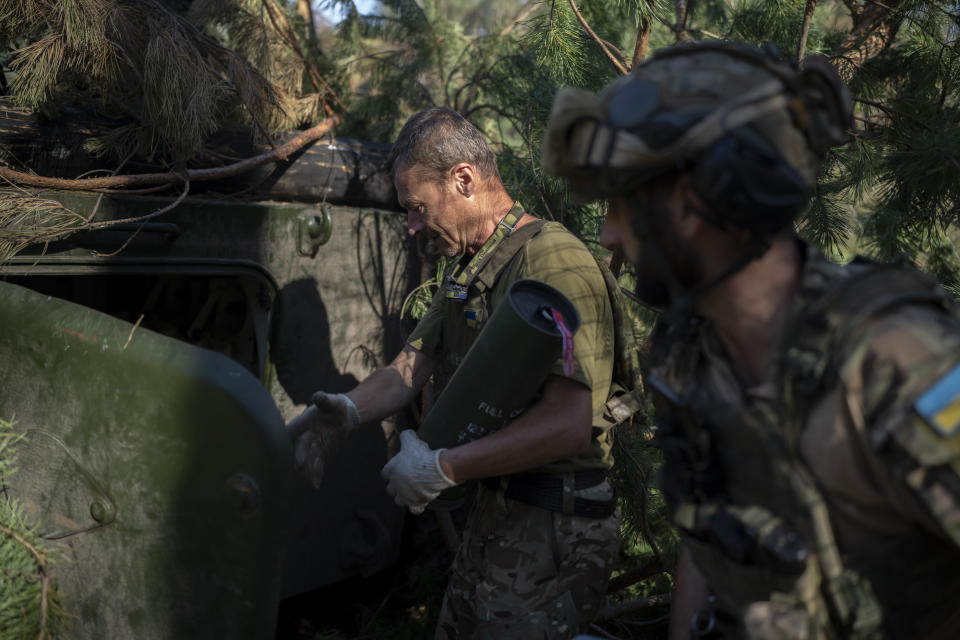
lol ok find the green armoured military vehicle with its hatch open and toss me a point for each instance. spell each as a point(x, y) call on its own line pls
point(152, 367)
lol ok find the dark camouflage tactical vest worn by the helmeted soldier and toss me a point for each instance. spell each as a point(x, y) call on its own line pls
point(750, 510)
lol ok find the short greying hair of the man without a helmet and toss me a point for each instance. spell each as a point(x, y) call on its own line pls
point(436, 139)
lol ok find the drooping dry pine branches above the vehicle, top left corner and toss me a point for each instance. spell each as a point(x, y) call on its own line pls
point(171, 78)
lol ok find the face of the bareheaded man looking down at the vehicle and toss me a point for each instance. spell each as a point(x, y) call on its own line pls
point(433, 209)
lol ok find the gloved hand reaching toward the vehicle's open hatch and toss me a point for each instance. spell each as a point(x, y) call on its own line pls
point(319, 430)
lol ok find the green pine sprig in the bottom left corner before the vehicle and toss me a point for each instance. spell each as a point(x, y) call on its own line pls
point(30, 605)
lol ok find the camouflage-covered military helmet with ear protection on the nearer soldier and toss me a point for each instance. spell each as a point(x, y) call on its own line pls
point(750, 129)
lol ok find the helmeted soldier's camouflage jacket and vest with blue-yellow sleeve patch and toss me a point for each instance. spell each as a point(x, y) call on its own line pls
point(866, 407)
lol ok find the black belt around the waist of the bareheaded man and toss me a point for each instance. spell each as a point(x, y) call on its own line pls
point(546, 490)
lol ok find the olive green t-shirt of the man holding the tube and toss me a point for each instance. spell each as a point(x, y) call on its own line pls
point(555, 257)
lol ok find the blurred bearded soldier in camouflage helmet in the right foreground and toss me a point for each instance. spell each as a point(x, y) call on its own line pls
point(809, 413)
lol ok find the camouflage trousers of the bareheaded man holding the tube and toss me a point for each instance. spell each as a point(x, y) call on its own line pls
point(524, 572)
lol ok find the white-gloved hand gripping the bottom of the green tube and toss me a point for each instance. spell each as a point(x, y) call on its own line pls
point(414, 476)
